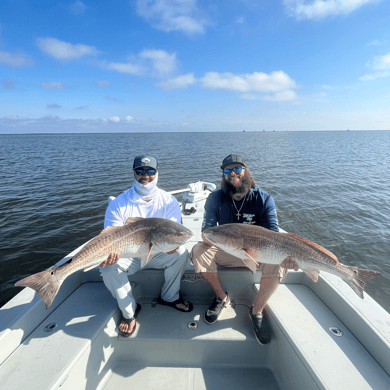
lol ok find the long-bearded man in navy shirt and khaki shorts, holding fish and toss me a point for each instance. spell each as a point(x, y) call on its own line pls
point(238, 201)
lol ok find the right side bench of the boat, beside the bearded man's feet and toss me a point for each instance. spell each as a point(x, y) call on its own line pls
point(299, 318)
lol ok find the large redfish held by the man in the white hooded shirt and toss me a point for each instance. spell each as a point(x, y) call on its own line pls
point(139, 237)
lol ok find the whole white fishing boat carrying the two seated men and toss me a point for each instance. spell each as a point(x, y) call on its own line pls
point(324, 335)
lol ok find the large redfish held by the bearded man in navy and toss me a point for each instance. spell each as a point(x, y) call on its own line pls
point(260, 245)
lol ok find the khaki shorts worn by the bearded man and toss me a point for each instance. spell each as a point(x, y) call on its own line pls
point(205, 259)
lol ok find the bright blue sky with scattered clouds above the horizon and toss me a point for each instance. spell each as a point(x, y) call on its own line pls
point(194, 65)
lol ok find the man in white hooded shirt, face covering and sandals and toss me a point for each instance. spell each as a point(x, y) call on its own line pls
point(145, 200)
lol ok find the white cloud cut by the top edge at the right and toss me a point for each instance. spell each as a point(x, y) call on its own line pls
point(316, 9)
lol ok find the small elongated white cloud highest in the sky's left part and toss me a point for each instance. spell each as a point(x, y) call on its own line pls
point(65, 51)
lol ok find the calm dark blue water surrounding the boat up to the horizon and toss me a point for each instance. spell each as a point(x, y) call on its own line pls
point(329, 187)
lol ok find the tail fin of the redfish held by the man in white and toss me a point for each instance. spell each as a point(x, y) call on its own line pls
point(45, 283)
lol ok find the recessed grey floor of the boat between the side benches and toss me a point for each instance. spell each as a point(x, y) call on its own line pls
point(166, 353)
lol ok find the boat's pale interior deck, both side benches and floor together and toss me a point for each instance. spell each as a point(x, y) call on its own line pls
point(176, 350)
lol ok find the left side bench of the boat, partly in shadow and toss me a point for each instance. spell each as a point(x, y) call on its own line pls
point(46, 358)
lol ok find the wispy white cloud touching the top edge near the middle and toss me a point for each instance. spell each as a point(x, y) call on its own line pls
point(173, 15)
